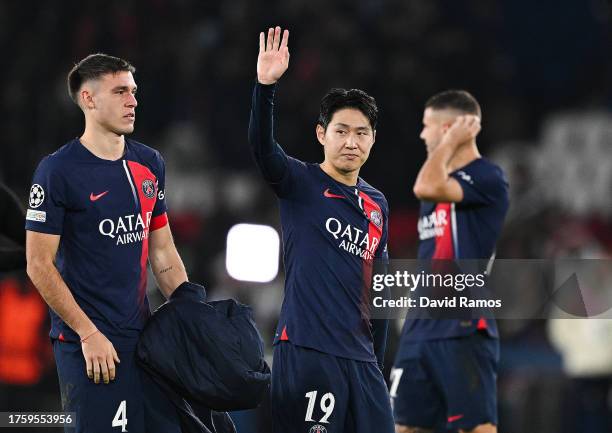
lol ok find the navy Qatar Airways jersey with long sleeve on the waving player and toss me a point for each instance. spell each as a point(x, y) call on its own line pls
point(332, 235)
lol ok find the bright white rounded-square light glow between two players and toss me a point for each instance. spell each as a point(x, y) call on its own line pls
point(252, 253)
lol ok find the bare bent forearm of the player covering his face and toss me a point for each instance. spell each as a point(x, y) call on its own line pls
point(434, 173)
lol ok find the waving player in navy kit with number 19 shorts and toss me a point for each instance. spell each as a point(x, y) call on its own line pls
point(326, 375)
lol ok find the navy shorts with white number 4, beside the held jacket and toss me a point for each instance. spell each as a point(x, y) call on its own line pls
point(130, 403)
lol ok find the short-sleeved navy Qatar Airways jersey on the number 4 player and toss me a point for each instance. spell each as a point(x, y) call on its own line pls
point(104, 211)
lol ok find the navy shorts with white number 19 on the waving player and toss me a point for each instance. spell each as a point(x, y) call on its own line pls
point(314, 392)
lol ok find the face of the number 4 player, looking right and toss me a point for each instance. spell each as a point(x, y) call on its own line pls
point(113, 102)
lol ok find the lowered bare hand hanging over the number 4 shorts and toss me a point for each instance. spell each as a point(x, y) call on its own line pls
point(100, 357)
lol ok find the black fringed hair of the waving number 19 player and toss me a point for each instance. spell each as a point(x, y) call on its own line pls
point(337, 99)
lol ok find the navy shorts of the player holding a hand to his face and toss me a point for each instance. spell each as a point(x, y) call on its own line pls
point(446, 384)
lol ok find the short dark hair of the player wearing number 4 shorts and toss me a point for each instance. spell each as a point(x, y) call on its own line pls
point(93, 67)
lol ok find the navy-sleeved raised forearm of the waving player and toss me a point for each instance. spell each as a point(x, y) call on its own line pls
point(270, 158)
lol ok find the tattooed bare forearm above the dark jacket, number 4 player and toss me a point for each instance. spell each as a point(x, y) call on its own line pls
point(168, 269)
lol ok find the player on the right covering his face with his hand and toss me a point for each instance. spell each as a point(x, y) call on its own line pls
point(445, 370)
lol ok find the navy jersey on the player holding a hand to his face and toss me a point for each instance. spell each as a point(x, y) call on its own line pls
point(465, 230)
